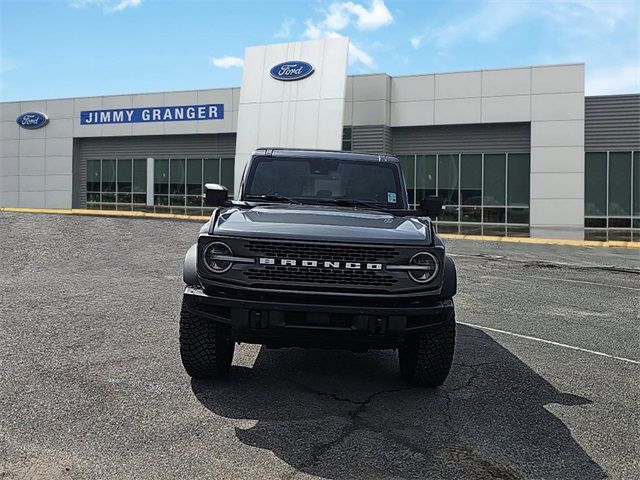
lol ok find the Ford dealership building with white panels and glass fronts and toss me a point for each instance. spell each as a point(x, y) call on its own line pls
point(515, 151)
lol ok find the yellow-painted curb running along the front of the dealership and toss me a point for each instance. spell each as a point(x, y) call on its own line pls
point(446, 236)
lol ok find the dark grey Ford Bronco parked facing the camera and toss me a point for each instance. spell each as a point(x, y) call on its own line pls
point(320, 250)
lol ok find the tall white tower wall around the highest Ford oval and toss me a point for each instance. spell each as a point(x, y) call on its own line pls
point(307, 113)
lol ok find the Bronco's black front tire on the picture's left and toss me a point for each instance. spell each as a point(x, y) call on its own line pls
point(206, 347)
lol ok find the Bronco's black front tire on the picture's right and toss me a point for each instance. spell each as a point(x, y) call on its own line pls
point(425, 358)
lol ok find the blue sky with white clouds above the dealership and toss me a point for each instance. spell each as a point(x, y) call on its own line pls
point(72, 48)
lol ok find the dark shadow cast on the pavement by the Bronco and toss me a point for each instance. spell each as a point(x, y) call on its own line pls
point(341, 415)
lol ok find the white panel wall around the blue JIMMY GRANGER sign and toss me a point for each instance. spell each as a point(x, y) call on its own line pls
point(36, 166)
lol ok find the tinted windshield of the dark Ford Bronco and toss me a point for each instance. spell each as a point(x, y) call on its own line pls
point(322, 180)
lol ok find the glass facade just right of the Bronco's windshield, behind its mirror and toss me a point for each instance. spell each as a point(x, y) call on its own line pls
point(484, 193)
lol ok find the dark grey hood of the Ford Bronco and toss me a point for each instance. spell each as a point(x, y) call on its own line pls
point(312, 222)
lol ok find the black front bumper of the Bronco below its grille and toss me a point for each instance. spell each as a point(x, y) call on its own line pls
point(308, 322)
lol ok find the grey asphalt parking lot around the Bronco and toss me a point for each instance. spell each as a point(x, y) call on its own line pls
point(545, 381)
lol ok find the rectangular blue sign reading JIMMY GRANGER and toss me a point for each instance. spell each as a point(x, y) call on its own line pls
point(183, 113)
